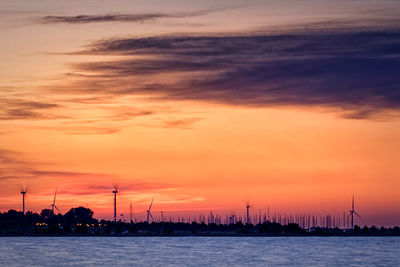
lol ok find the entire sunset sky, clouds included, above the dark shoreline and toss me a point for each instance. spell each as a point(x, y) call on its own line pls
point(203, 105)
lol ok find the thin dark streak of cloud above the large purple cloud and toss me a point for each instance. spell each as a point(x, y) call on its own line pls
point(79, 19)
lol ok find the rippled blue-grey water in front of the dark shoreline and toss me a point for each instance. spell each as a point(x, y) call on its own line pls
point(195, 251)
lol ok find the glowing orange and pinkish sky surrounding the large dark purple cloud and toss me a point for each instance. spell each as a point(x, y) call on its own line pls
point(193, 155)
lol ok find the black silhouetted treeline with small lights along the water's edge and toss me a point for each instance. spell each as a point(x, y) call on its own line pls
point(80, 221)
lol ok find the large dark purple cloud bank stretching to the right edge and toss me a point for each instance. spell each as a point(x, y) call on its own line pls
point(351, 70)
